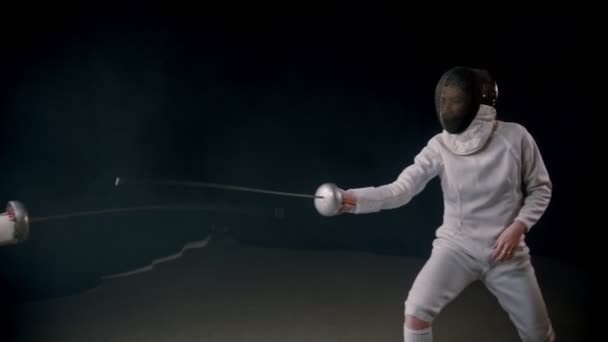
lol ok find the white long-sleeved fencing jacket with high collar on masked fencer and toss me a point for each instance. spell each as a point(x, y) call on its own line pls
point(491, 174)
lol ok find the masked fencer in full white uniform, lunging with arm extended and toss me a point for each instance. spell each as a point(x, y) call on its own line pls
point(495, 188)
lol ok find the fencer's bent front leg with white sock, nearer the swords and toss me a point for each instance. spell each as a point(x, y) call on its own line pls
point(443, 277)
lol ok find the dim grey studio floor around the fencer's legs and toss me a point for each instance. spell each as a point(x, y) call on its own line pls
point(228, 291)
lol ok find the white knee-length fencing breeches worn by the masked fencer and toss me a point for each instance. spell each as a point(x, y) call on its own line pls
point(449, 271)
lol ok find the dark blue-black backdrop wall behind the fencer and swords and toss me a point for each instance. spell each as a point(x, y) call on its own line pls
point(277, 102)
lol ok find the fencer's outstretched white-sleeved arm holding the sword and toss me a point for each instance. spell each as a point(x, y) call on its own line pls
point(410, 182)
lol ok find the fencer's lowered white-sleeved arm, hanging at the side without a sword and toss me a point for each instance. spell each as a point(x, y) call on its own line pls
point(536, 181)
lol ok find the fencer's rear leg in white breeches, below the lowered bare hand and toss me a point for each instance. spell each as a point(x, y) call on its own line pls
point(515, 286)
